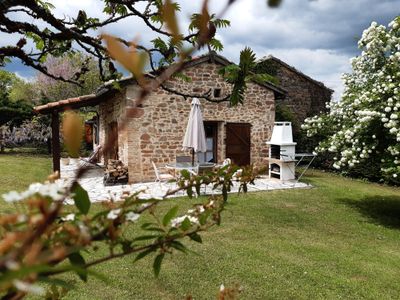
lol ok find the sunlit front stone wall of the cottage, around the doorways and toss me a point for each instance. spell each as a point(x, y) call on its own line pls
point(156, 132)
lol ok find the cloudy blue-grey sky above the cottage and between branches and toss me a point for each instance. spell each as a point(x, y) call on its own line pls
point(317, 37)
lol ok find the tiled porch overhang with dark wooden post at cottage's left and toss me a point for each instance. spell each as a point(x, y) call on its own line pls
point(55, 108)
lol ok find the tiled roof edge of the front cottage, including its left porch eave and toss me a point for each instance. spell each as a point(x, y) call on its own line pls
point(104, 91)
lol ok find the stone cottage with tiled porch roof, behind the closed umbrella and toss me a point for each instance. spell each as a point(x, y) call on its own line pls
point(154, 132)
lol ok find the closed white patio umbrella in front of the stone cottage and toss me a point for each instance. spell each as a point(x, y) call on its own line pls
point(195, 137)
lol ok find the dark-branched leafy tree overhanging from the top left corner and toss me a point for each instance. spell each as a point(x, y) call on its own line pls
point(62, 35)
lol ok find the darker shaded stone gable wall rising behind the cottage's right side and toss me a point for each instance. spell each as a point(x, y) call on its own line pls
point(305, 97)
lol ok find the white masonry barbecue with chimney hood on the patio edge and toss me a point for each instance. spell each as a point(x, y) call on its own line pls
point(282, 152)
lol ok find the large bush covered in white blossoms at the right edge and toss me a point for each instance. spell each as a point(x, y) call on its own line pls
point(364, 126)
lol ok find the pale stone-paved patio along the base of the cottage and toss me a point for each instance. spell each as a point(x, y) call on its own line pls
point(92, 181)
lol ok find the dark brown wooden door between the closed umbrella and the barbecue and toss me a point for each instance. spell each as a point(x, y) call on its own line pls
point(238, 143)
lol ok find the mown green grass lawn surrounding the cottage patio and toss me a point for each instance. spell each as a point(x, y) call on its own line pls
point(340, 239)
